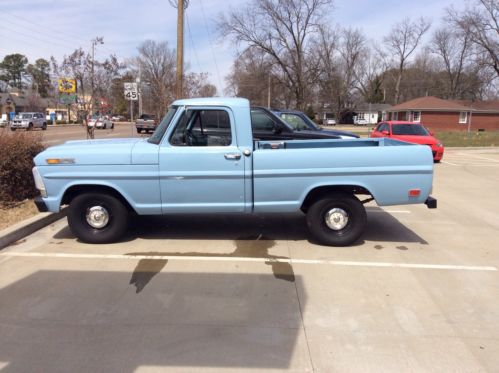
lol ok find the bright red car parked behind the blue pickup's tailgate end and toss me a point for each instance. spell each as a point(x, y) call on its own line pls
point(410, 132)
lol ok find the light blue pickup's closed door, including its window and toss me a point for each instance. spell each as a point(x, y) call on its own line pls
point(201, 166)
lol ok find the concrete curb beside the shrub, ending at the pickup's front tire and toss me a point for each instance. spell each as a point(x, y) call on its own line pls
point(28, 226)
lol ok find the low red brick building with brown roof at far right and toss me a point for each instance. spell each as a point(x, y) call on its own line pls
point(438, 114)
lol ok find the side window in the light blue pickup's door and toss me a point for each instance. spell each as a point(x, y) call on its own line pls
point(202, 128)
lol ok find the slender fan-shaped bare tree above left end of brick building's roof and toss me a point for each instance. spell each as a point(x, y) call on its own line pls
point(402, 41)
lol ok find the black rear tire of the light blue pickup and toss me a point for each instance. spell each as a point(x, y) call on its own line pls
point(345, 232)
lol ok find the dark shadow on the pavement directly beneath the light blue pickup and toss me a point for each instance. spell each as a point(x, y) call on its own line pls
point(381, 226)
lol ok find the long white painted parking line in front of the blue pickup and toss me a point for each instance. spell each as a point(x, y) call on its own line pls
point(244, 259)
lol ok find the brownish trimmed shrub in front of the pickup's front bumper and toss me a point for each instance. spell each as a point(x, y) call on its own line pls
point(16, 161)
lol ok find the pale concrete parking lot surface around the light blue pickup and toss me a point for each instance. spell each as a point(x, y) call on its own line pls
point(418, 294)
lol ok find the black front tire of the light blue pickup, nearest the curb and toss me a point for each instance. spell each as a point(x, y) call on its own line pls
point(79, 209)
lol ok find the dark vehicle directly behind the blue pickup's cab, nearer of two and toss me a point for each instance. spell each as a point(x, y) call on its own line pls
point(267, 125)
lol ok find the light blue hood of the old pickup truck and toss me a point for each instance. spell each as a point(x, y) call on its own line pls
point(90, 152)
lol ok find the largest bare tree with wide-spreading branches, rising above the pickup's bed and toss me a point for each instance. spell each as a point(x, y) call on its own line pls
point(282, 29)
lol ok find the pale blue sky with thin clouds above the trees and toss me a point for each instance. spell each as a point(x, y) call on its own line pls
point(44, 28)
